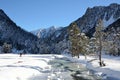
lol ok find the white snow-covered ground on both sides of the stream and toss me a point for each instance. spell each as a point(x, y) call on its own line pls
point(13, 67)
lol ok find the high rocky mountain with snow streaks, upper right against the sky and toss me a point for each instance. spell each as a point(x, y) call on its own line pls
point(108, 14)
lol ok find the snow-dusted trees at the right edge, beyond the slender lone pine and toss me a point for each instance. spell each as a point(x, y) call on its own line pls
point(112, 41)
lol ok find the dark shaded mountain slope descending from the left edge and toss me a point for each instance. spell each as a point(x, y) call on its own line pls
point(12, 34)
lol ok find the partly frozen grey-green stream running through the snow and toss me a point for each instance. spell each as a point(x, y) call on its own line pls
point(64, 69)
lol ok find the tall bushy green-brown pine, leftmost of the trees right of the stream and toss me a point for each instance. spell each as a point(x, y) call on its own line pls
point(74, 33)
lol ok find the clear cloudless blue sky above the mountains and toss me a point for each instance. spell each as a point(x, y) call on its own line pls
point(36, 14)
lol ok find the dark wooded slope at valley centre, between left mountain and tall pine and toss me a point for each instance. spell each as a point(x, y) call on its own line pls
point(55, 42)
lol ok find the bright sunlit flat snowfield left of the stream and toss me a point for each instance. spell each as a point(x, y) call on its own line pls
point(13, 67)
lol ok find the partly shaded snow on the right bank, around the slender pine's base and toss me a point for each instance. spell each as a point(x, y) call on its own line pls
point(111, 70)
